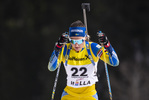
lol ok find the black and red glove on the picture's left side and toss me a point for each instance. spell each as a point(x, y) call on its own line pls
point(61, 41)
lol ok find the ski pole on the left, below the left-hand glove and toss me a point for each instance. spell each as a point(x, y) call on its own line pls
point(56, 77)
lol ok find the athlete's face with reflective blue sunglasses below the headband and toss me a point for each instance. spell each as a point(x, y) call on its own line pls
point(77, 42)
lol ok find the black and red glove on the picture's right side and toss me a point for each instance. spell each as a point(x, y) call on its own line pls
point(103, 40)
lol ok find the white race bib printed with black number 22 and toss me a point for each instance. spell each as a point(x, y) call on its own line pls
point(81, 75)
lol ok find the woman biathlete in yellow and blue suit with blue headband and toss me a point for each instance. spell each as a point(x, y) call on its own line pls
point(80, 58)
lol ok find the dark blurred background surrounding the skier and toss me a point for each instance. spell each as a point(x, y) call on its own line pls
point(30, 28)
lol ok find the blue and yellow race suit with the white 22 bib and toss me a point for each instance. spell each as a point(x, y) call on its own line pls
point(81, 69)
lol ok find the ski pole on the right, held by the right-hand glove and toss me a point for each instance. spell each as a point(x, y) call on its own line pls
point(106, 69)
